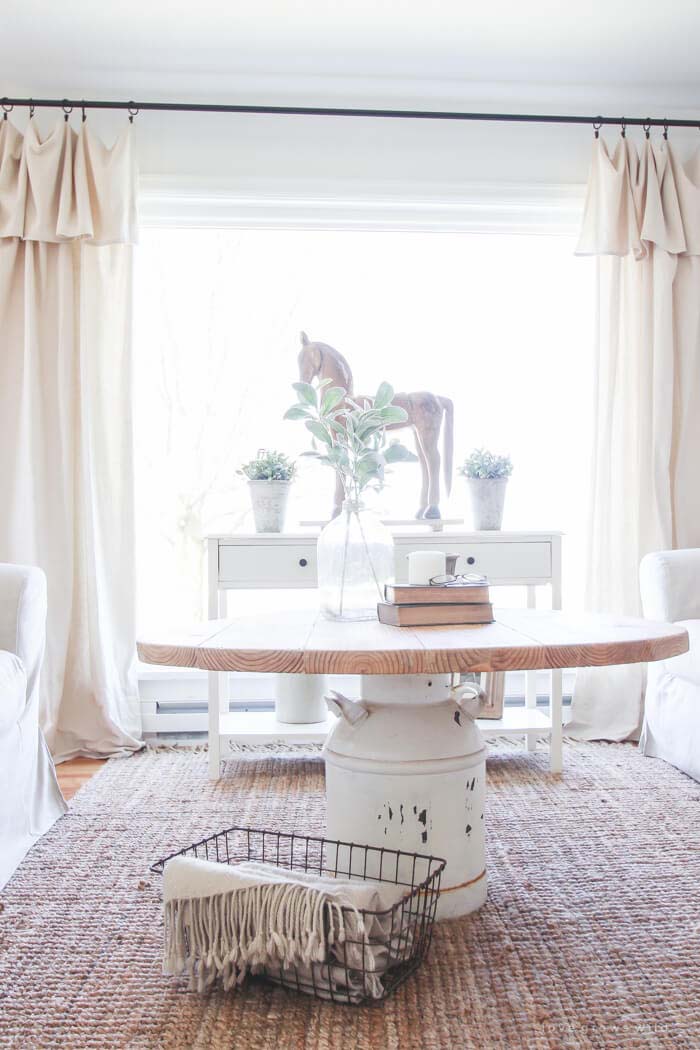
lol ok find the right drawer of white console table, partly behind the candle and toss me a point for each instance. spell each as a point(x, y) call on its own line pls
point(498, 560)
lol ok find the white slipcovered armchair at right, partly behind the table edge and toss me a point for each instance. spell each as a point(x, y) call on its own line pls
point(670, 582)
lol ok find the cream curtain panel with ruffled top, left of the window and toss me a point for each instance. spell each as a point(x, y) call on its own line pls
point(68, 223)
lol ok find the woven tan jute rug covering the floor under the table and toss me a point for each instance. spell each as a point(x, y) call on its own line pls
point(590, 938)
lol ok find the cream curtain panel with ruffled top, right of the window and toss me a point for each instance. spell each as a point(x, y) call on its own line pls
point(643, 220)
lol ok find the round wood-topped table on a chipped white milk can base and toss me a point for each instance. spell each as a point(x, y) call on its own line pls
point(406, 761)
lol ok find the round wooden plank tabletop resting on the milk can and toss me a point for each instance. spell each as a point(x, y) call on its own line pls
point(301, 642)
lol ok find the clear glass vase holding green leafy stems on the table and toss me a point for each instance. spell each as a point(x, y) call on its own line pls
point(355, 562)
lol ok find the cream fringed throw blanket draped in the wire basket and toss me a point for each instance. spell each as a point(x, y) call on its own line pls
point(228, 921)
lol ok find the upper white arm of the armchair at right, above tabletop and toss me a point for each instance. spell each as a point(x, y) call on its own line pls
point(670, 584)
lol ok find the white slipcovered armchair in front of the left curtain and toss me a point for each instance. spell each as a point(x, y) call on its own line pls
point(31, 800)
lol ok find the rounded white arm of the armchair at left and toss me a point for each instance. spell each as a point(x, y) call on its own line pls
point(24, 619)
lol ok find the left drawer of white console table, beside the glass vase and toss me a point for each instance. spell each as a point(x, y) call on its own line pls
point(280, 565)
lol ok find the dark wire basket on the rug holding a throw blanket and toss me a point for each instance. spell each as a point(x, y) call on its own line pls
point(393, 943)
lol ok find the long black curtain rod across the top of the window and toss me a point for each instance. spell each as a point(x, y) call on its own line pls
point(427, 115)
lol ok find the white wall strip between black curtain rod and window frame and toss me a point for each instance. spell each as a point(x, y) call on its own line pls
point(357, 150)
